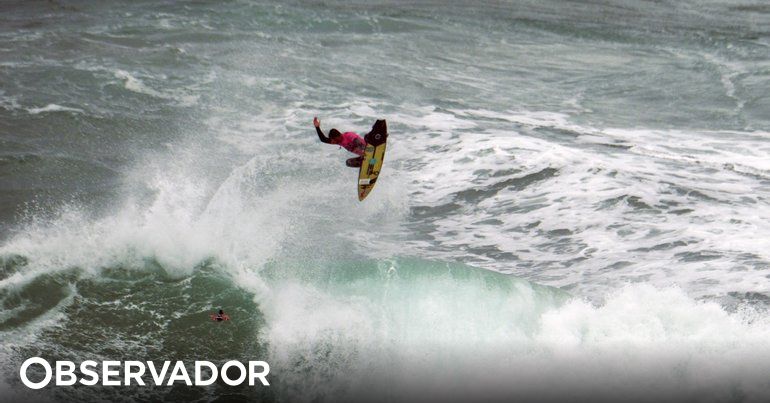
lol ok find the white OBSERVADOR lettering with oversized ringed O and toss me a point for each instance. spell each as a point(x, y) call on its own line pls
point(125, 373)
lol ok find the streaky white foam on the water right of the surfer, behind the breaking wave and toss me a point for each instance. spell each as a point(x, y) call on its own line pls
point(668, 170)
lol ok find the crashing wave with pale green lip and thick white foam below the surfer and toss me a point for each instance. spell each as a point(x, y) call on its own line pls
point(407, 338)
